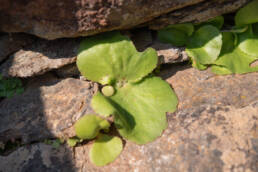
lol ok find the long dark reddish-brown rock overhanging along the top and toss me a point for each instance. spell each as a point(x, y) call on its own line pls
point(63, 18)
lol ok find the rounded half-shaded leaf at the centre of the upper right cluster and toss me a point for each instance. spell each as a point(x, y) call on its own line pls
point(205, 44)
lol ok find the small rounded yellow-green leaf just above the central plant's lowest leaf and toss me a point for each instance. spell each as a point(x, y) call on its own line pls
point(88, 126)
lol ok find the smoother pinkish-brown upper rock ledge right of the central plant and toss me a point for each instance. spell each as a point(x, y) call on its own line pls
point(195, 88)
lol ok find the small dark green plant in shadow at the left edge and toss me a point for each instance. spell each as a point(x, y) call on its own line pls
point(10, 87)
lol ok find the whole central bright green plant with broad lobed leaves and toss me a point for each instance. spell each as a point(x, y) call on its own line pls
point(137, 100)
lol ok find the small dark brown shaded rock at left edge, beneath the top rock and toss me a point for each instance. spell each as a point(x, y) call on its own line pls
point(13, 42)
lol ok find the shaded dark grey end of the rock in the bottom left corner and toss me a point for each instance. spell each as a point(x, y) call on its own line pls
point(38, 157)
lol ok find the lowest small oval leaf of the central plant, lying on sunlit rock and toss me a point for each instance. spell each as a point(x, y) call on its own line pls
point(105, 149)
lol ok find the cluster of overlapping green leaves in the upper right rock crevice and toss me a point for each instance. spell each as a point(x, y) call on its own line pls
point(228, 51)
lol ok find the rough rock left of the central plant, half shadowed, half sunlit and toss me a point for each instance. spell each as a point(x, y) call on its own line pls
point(48, 108)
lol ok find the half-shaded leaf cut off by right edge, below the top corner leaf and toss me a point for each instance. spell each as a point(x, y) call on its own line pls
point(248, 42)
